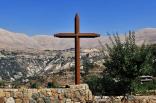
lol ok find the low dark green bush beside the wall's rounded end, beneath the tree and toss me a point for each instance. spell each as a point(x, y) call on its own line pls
point(107, 85)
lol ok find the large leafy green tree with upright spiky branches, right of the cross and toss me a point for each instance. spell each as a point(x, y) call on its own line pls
point(125, 61)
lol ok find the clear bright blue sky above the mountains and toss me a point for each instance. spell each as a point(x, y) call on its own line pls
point(46, 17)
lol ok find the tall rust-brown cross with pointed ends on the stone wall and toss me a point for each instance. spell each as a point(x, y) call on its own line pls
point(77, 35)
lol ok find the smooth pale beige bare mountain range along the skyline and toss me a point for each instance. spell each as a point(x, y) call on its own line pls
point(13, 40)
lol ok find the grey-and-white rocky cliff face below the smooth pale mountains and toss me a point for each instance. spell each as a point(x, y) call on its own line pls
point(17, 64)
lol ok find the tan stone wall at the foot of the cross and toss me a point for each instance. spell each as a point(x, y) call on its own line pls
point(76, 93)
